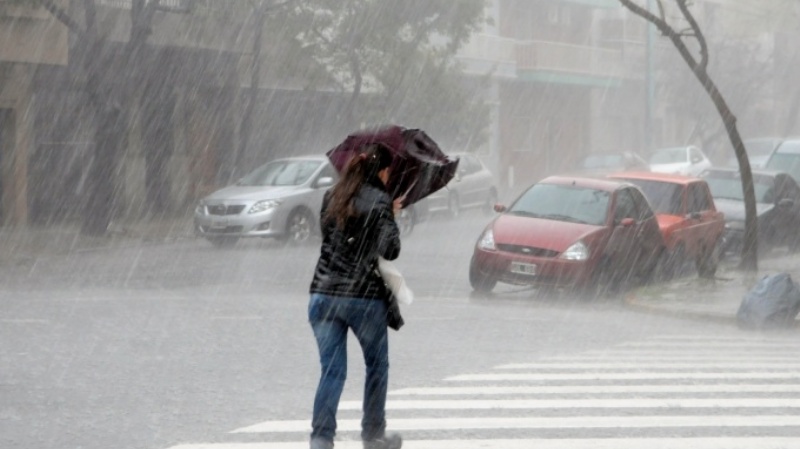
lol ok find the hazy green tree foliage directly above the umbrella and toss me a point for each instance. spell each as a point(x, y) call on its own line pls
point(398, 59)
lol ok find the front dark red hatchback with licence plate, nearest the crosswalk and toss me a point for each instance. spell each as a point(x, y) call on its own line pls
point(571, 232)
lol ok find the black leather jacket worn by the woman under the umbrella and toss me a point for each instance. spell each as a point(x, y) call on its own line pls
point(348, 258)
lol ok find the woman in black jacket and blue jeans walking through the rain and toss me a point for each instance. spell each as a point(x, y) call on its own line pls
point(358, 226)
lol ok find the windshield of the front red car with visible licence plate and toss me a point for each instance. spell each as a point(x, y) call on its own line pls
point(563, 203)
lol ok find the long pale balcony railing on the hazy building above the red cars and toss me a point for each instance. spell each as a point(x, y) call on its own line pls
point(568, 58)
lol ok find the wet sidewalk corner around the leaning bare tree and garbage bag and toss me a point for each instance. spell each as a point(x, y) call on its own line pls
point(715, 299)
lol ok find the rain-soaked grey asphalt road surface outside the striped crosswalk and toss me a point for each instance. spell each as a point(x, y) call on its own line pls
point(148, 346)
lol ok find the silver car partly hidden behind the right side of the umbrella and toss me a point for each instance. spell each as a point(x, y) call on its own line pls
point(473, 187)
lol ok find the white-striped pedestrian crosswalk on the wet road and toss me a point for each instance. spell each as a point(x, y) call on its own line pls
point(669, 392)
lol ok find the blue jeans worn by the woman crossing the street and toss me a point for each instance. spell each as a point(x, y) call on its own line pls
point(330, 318)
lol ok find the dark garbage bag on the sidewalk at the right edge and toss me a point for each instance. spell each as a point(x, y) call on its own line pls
point(773, 302)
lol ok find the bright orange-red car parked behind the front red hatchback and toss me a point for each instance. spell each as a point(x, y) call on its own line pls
point(687, 217)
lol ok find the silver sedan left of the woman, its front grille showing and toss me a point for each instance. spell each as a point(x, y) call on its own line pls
point(280, 199)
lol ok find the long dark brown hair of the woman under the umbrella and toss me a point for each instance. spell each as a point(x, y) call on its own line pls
point(361, 168)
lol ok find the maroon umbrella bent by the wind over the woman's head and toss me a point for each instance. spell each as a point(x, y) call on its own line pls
point(419, 167)
